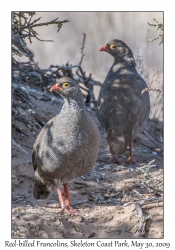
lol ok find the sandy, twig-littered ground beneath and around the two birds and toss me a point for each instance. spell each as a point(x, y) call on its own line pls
point(99, 196)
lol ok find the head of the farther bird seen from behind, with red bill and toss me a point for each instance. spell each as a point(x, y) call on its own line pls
point(118, 49)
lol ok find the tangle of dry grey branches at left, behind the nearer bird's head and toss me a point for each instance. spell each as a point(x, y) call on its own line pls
point(27, 76)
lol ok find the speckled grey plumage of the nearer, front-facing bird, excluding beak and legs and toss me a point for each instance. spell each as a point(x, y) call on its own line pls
point(67, 147)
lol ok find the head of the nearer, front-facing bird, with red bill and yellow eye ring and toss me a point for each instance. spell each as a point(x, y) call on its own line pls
point(66, 87)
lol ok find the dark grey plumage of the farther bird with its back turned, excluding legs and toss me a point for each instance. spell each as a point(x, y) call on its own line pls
point(122, 109)
